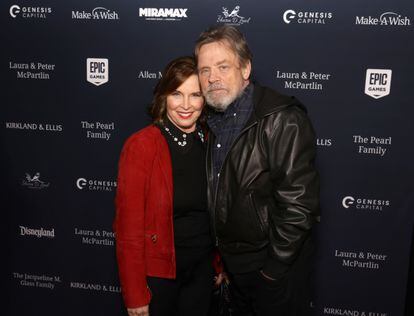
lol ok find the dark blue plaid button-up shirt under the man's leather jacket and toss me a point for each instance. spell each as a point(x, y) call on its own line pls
point(226, 126)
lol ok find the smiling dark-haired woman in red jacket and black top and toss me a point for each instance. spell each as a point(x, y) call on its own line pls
point(163, 241)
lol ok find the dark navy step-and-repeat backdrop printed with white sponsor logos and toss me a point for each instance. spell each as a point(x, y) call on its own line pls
point(77, 78)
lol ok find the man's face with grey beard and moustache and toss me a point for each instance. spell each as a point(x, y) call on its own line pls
point(222, 78)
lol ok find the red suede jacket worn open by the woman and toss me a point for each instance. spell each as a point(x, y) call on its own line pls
point(144, 215)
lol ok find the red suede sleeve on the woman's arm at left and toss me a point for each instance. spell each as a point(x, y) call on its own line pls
point(134, 166)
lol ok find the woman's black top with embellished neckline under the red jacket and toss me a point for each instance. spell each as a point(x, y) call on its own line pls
point(191, 220)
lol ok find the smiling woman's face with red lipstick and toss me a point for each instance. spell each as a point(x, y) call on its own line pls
point(184, 105)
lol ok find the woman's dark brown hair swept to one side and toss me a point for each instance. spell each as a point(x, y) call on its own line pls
point(174, 75)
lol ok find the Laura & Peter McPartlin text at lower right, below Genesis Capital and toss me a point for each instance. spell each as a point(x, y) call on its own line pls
point(361, 259)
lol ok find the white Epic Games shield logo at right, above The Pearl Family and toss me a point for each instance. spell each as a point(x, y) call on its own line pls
point(378, 82)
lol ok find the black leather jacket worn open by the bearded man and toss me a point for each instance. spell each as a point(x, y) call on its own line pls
point(267, 194)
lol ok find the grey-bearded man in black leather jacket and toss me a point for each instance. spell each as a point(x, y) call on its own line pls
point(263, 187)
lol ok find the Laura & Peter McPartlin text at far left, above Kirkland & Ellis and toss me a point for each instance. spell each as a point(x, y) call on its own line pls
point(32, 70)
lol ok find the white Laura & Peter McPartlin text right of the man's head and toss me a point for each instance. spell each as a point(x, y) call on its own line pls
point(306, 80)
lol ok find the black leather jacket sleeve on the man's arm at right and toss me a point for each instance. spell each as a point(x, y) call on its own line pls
point(292, 149)
